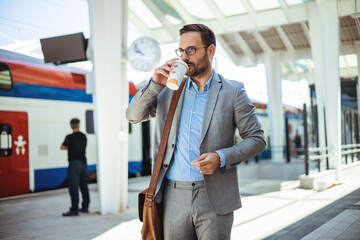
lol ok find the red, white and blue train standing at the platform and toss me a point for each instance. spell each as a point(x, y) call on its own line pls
point(37, 102)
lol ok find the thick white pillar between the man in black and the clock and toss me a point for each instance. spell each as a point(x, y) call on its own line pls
point(108, 23)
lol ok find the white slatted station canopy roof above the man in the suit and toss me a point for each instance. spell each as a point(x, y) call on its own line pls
point(247, 29)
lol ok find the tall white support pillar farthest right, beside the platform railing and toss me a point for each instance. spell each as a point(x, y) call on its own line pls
point(325, 47)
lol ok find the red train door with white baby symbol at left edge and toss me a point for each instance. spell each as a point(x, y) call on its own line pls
point(14, 153)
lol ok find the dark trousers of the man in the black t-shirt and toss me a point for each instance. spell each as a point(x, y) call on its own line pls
point(77, 177)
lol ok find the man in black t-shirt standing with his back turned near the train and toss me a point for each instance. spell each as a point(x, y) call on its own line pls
point(75, 144)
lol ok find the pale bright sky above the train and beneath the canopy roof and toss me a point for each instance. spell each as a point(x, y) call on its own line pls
point(22, 20)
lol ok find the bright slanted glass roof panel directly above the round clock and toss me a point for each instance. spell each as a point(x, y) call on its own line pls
point(142, 12)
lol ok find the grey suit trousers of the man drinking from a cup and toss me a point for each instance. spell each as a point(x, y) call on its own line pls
point(188, 214)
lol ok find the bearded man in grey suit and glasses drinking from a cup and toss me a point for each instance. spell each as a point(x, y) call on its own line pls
point(198, 179)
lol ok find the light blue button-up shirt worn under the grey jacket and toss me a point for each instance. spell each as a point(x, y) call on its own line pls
point(187, 147)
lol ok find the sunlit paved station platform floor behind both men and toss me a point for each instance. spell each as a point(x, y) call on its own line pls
point(272, 209)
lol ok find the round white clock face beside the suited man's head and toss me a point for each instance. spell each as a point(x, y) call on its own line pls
point(144, 54)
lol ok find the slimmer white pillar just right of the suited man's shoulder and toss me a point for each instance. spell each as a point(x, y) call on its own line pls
point(275, 108)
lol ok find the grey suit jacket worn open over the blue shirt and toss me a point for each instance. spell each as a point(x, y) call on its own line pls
point(227, 108)
